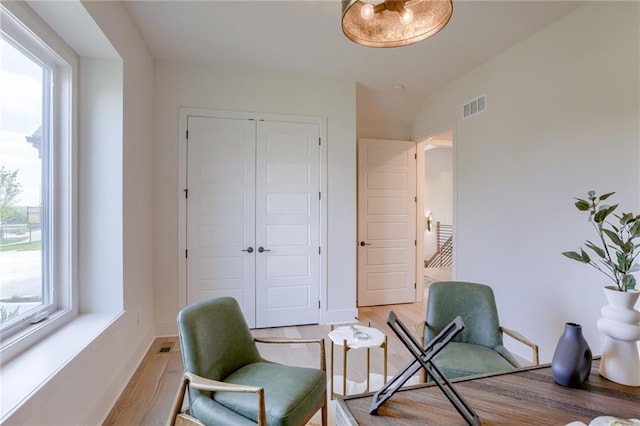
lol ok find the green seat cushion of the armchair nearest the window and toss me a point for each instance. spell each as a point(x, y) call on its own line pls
point(290, 392)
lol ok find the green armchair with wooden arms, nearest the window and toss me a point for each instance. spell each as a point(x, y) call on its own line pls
point(229, 383)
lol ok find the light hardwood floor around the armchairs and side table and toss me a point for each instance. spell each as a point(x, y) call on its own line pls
point(148, 398)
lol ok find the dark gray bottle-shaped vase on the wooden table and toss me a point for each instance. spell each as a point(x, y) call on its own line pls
point(571, 363)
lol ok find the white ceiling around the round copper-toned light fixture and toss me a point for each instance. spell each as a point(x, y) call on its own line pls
point(305, 37)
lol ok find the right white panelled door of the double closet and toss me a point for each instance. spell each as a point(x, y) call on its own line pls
point(287, 223)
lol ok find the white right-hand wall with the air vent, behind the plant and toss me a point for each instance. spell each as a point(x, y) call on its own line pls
point(562, 118)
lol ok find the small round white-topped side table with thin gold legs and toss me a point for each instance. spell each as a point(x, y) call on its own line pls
point(344, 336)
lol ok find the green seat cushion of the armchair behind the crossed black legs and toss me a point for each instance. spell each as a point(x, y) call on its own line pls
point(464, 359)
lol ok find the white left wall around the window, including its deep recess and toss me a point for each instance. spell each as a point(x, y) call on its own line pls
point(114, 208)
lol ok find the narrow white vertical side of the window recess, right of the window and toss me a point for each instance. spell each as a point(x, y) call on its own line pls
point(100, 117)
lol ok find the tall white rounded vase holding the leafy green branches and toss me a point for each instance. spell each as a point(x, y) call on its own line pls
point(620, 324)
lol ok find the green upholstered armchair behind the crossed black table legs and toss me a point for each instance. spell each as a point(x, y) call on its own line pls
point(479, 347)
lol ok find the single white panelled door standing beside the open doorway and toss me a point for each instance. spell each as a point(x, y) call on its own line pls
point(386, 222)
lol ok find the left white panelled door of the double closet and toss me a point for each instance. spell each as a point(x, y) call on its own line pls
point(221, 211)
